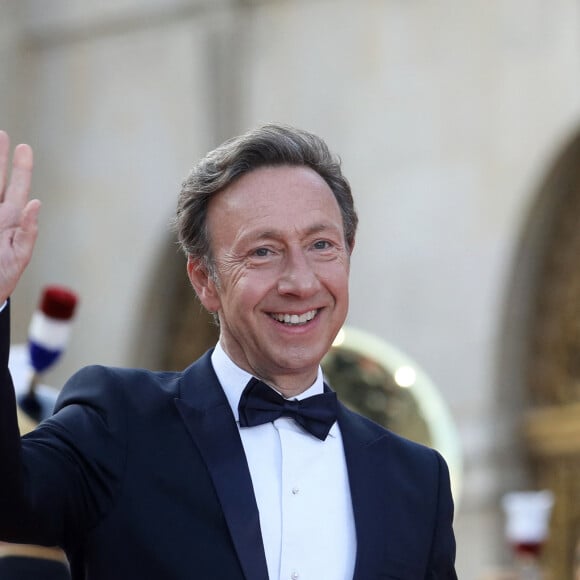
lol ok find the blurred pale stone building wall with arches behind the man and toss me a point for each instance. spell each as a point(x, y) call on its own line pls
point(459, 128)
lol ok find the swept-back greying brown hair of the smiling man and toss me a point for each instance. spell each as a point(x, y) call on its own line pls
point(268, 145)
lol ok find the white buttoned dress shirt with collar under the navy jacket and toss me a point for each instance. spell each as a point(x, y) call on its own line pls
point(301, 488)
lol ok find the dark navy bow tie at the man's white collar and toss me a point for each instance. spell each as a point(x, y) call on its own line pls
point(261, 404)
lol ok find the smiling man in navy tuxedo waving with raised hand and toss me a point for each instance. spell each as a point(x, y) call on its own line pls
point(244, 465)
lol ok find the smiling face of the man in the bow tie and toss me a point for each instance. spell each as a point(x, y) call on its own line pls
point(282, 266)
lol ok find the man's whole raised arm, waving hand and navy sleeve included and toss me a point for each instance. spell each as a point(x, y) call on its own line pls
point(62, 478)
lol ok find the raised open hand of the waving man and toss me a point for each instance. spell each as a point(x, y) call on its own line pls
point(18, 215)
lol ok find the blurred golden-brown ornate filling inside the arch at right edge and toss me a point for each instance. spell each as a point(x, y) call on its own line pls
point(552, 425)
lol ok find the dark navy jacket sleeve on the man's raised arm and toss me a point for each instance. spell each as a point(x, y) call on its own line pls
point(63, 477)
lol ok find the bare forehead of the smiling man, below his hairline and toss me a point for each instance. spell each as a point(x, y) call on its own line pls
point(280, 198)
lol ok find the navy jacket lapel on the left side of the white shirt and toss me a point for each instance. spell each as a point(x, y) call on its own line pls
point(210, 422)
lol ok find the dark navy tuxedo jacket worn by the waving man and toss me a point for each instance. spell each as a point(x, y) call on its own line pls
point(142, 475)
